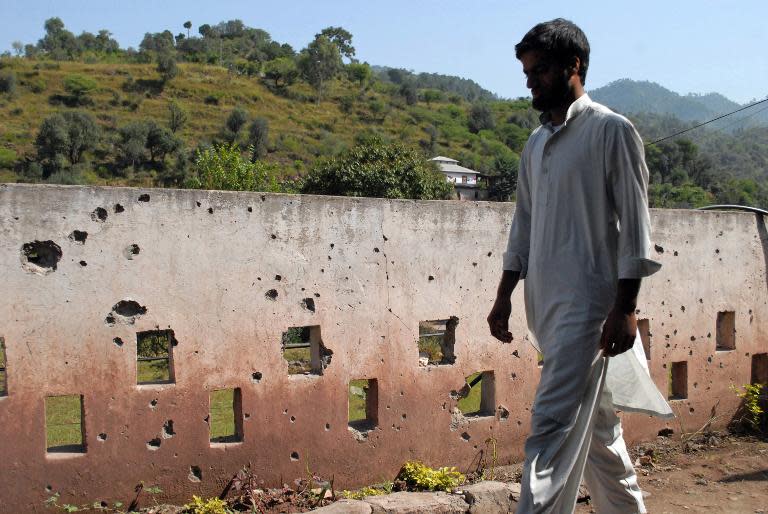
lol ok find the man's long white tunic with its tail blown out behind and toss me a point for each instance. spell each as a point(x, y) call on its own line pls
point(580, 224)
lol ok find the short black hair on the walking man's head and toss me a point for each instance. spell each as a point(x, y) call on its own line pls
point(562, 40)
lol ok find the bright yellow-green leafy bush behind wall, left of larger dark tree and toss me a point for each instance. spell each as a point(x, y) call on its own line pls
point(224, 168)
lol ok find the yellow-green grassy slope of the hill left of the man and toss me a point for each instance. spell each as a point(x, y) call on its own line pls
point(303, 125)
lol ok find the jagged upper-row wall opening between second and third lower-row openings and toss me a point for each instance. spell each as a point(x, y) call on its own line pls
point(304, 351)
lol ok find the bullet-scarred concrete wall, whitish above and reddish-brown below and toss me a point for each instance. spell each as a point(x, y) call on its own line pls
point(229, 272)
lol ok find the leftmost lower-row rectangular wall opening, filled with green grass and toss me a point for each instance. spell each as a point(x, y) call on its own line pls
point(64, 428)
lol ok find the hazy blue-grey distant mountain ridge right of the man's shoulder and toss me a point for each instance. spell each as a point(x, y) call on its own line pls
point(632, 97)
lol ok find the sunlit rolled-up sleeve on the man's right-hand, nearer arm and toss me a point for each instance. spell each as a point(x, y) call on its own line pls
point(627, 176)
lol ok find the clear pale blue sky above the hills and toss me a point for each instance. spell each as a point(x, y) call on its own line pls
point(685, 45)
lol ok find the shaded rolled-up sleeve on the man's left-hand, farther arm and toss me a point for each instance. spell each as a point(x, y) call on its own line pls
point(516, 255)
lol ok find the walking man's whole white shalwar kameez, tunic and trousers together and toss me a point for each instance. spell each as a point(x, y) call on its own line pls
point(580, 224)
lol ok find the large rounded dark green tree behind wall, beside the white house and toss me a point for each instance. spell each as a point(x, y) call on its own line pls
point(379, 170)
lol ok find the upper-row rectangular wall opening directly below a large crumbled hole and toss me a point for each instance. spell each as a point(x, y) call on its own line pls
point(154, 357)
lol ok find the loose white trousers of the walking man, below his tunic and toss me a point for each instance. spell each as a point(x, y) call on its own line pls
point(592, 446)
